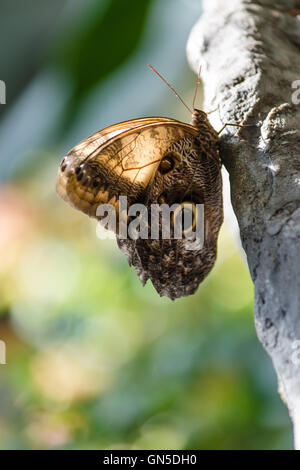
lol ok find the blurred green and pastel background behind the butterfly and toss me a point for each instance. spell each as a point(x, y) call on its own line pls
point(94, 360)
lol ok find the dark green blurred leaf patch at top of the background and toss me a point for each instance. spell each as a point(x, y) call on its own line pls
point(118, 27)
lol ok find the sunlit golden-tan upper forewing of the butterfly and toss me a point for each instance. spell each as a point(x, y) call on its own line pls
point(118, 160)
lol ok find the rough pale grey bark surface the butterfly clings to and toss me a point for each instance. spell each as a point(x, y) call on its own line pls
point(250, 56)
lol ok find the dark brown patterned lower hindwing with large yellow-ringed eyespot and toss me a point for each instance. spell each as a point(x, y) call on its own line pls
point(174, 266)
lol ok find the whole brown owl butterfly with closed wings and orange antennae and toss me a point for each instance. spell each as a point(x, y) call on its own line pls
point(153, 160)
